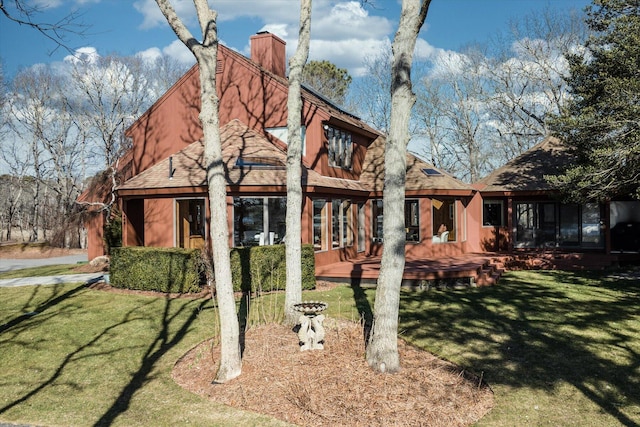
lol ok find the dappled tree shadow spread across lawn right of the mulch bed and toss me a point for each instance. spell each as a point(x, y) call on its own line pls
point(535, 335)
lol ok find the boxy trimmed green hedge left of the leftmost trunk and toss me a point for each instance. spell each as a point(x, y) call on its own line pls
point(155, 269)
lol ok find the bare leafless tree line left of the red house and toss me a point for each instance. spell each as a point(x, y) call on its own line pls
point(62, 124)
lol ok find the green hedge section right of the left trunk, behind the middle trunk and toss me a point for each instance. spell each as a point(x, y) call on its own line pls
point(263, 268)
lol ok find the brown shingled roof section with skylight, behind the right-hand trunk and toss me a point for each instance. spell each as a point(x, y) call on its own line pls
point(417, 180)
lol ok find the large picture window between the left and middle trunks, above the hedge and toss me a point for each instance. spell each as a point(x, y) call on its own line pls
point(259, 220)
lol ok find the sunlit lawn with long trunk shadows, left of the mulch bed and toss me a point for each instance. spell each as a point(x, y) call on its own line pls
point(74, 356)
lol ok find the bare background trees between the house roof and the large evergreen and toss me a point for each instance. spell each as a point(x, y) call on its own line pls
point(479, 108)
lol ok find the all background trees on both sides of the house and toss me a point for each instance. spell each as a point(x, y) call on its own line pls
point(475, 110)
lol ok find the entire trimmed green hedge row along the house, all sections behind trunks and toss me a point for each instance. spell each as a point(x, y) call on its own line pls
point(254, 269)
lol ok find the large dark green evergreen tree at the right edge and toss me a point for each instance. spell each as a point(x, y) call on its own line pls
point(601, 123)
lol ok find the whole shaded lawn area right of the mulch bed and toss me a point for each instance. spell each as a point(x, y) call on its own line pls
point(557, 348)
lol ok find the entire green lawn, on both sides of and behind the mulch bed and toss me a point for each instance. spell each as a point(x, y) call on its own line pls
point(557, 348)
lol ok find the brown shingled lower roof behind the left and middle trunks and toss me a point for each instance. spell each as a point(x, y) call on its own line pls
point(238, 142)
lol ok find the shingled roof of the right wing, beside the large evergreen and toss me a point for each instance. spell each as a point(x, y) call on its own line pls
point(527, 171)
